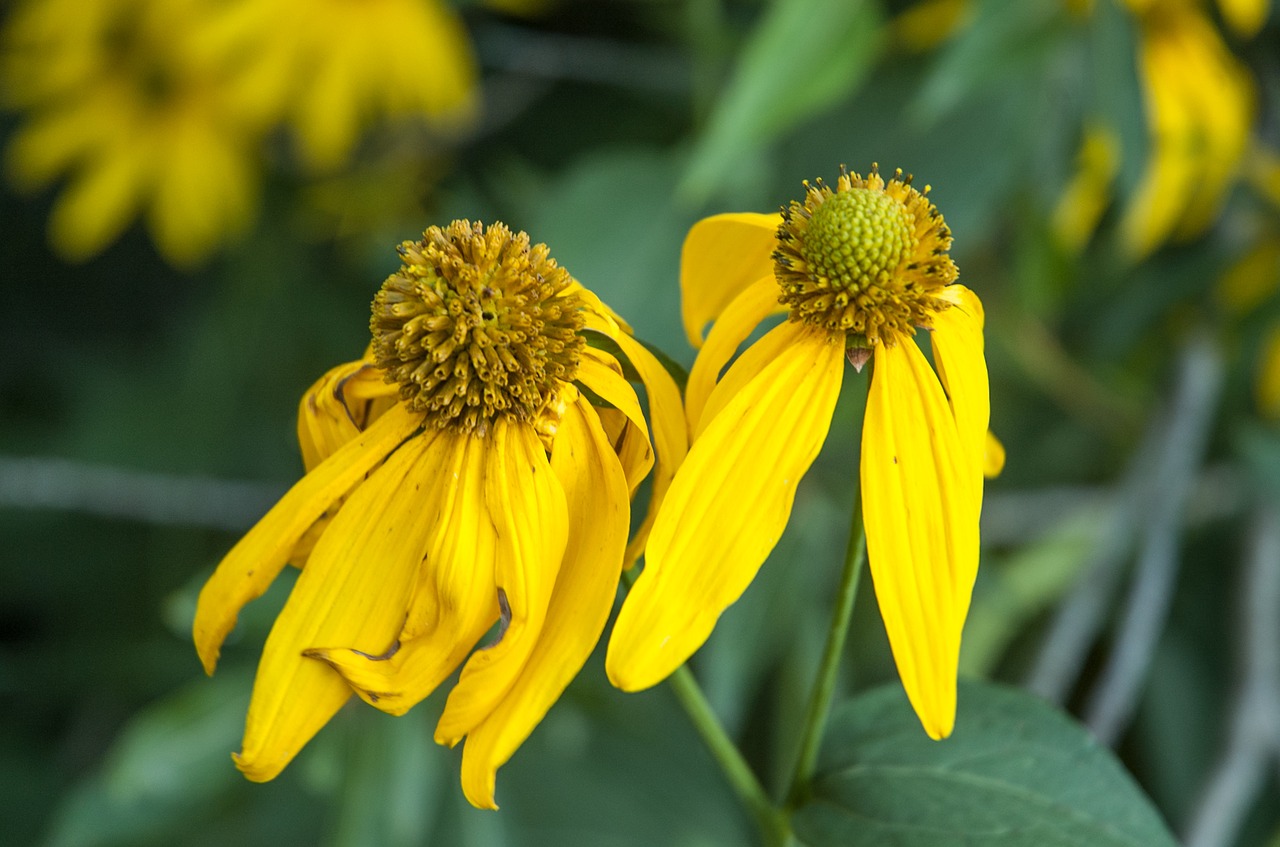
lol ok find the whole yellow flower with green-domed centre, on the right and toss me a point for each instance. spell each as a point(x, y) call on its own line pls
point(861, 268)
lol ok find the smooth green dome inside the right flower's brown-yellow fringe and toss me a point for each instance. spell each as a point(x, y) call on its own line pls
point(857, 240)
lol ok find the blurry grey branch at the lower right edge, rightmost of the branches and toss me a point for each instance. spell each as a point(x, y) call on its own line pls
point(1254, 735)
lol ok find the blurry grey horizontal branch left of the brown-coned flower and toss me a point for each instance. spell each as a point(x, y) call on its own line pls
point(42, 483)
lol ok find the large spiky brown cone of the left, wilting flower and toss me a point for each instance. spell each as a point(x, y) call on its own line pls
point(477, 324)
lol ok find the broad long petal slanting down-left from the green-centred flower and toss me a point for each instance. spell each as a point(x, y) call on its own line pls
point(726, 510)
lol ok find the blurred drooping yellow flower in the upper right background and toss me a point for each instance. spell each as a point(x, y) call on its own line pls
point(1200, 112)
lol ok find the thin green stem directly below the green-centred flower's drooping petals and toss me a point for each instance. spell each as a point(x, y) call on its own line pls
point(825, 684)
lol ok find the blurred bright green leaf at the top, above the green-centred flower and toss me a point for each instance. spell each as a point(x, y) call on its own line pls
point(804, 57)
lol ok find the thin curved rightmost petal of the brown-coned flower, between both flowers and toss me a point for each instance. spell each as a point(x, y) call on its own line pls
point(670, 438)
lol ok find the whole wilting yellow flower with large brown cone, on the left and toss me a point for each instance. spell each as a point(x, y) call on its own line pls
point(478, 486)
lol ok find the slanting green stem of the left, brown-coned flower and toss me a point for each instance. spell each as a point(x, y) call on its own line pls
point(772, 823)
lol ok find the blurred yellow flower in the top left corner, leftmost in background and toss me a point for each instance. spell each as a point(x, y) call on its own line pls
point(124, 99)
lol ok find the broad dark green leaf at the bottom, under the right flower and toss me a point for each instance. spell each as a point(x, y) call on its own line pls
point(1016, 772)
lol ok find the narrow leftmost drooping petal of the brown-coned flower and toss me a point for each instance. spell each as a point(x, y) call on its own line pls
point(258, 558)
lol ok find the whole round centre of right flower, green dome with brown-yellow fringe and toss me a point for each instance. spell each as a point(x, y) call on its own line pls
point(865, 262)
